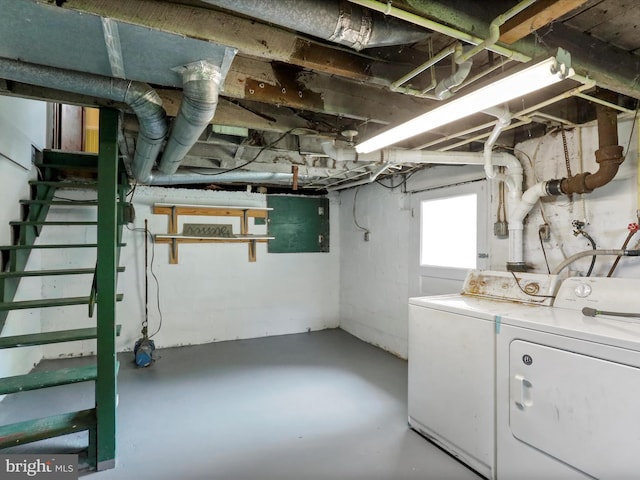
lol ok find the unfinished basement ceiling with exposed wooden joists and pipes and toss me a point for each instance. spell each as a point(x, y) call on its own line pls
point(302, 77)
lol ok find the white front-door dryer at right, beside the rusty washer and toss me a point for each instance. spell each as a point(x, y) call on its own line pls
point(568, 385)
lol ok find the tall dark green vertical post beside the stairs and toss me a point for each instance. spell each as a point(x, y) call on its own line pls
point(106, 390)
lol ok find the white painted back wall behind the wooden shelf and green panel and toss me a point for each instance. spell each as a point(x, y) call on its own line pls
point(214, 293)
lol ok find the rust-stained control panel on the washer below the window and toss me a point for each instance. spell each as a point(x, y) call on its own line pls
point(533, 288)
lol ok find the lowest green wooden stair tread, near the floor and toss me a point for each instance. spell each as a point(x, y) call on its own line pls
point(48, 427)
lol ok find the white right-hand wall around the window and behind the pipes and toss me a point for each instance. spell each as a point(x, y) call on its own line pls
point(374, 275)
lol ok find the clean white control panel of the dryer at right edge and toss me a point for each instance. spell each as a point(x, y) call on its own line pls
point(601, 293)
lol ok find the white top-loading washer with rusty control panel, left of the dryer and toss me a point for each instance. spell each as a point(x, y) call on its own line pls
point(452, 361)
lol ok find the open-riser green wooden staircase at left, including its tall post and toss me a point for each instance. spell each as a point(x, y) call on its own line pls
point(111, 186)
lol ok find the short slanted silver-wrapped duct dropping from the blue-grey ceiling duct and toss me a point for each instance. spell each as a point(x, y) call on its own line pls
point(201, 84)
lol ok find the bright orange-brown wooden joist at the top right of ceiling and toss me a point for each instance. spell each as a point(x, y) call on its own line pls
point(541, 13)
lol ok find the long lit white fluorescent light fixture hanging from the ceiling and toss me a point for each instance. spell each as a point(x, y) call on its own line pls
point(535, 77)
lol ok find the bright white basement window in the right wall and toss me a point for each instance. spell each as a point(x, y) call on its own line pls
point(448, 232)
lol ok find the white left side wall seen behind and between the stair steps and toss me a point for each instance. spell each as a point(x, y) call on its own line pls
point(22, 124)
